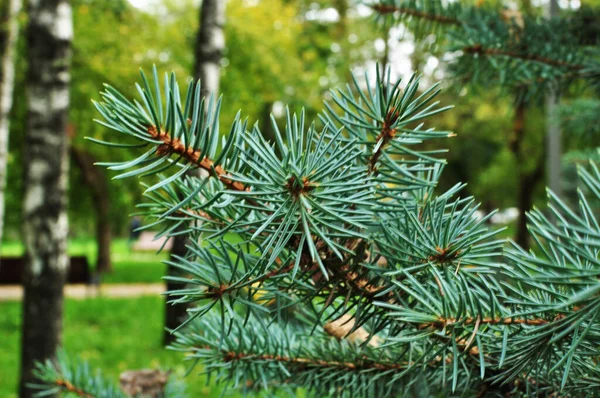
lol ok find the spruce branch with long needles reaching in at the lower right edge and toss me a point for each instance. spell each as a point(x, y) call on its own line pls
point(560, 282)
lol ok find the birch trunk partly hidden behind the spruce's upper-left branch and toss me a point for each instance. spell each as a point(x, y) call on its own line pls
point(210, 44)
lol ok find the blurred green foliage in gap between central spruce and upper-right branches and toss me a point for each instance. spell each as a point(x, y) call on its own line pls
point(478, 156)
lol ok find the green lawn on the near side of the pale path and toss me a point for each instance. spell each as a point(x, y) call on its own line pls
point(111, 334)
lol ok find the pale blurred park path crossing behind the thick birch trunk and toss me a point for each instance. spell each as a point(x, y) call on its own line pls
point(15, 292)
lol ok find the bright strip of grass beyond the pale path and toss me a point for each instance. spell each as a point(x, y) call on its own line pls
point(128, 266)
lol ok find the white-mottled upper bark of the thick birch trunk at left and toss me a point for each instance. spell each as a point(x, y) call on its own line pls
point(45, 225)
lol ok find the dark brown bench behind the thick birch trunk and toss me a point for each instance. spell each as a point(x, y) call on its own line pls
point(11, 270)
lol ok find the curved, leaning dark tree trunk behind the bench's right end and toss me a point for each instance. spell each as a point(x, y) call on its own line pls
point(96, 181)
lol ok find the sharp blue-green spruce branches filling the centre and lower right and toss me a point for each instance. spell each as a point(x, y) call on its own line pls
point(326, 261)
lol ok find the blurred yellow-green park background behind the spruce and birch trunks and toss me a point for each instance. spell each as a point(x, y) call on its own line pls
point(278, 53)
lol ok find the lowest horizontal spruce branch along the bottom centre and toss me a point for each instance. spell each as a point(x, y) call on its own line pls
point(288, 359)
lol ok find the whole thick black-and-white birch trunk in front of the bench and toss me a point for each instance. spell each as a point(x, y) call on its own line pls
point(45, 224)
